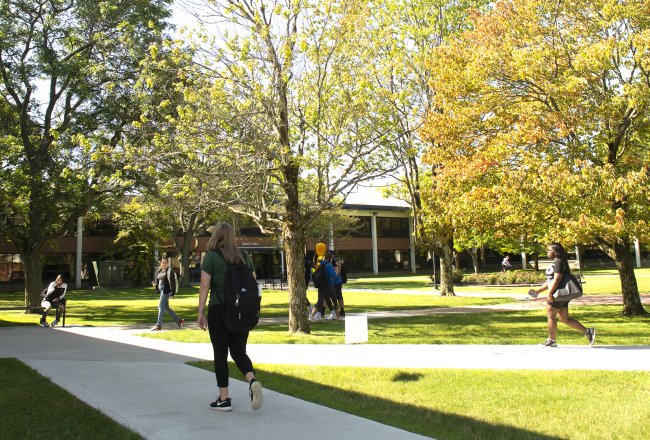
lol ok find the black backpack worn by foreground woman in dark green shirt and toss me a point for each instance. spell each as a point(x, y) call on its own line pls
point(241, 298)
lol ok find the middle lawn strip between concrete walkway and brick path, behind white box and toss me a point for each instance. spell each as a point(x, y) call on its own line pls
point(511, 328)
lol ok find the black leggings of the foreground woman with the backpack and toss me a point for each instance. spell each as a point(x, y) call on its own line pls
point(223, 340)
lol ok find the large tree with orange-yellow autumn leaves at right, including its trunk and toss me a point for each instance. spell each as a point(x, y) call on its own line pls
point(543, 113)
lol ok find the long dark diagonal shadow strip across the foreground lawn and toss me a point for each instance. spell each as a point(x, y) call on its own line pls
point(417, 419)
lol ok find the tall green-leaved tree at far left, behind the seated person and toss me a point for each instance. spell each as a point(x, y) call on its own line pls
point(67, 70)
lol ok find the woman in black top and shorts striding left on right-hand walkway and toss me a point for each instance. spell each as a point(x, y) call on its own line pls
point(554, 308)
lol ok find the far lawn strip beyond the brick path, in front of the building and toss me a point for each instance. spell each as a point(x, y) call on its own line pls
point(139, 306)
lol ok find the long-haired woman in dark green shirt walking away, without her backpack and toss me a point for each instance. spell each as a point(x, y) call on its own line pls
point(221, 250)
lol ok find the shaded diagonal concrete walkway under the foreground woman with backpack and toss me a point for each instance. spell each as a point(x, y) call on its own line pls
point(154, 393)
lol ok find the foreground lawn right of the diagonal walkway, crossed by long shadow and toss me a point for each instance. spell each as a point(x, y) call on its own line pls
point(475, 404)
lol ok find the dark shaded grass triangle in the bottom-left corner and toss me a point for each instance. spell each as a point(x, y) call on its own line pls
point(32, 407)
